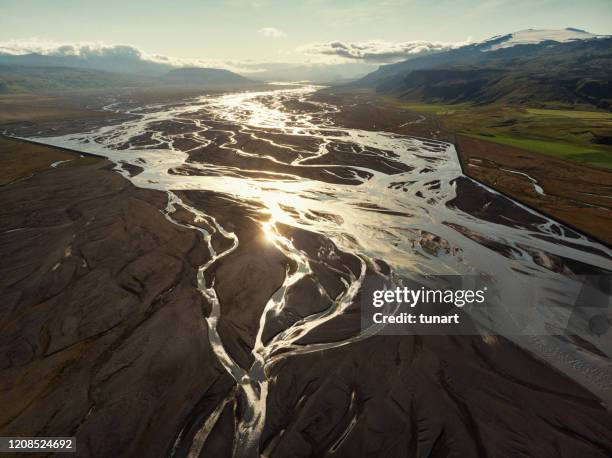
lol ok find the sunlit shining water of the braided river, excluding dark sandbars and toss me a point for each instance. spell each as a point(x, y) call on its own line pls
point(389, 217)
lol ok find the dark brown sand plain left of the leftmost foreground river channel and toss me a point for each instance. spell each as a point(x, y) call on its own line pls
point(103, 334)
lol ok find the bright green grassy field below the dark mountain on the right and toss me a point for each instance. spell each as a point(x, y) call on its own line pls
point(576, 135)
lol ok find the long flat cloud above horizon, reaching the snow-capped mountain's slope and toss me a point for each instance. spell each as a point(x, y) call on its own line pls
point(377, 51)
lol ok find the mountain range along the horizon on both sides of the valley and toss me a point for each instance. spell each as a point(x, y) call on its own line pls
point(568, 66)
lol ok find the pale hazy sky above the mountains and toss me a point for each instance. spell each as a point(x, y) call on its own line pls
point(289, 30)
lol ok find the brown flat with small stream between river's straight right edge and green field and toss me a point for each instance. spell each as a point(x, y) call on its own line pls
point(578, 195)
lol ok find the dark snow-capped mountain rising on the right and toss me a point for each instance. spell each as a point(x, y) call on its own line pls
point(528, 67)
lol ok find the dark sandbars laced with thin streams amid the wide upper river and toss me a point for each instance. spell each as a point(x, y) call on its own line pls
point(268, 151)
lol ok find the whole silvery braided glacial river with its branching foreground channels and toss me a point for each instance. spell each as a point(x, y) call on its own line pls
point(403, 207)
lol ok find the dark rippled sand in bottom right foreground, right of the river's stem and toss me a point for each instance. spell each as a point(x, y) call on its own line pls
point(432, 396)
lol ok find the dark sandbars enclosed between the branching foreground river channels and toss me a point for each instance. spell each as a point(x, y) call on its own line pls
point(247, 277)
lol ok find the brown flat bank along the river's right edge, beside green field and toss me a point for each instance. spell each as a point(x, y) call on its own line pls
point(576, 194)
